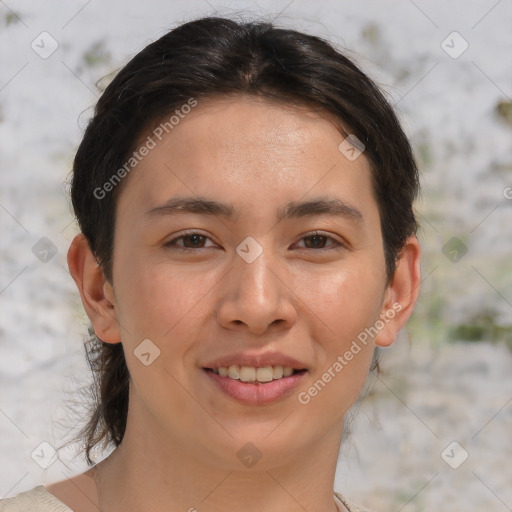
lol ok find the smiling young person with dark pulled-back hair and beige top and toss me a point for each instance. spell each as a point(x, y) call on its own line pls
point(244, 195)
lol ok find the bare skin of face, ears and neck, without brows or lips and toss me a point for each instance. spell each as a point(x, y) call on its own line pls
point(307, 301)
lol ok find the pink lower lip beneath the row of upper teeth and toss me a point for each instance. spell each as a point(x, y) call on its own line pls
point(257, 394)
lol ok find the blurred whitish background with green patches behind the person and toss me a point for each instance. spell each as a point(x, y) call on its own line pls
point(434, 430)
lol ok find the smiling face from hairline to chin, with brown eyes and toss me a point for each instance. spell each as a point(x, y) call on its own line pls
point(272, 277)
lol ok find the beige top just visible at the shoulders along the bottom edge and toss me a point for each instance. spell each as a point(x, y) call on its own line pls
point(39, 499)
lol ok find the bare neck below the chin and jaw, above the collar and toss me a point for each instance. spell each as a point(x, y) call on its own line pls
point(147, 472)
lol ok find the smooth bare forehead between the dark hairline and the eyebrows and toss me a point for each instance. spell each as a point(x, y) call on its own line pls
point(247, 150)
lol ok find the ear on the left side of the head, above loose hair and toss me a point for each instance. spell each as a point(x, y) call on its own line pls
point(96, 292)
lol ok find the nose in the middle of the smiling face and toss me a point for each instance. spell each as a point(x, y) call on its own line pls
point(257, 297)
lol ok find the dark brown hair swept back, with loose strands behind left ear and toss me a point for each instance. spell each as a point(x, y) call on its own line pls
point(212, 57)
